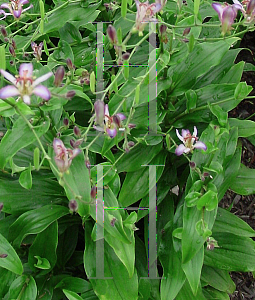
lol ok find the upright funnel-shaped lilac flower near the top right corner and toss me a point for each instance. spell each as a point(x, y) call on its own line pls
point(227, 14)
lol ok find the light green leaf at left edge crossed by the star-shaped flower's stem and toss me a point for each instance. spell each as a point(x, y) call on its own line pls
point(19, 137)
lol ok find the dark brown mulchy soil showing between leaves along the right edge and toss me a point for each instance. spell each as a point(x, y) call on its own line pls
point(244, 206)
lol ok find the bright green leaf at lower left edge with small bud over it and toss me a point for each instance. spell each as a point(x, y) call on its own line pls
point(11, 261)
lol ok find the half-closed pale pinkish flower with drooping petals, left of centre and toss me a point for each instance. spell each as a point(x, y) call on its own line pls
point(63, 156)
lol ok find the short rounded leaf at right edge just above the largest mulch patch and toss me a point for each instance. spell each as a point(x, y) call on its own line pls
point(243, 184)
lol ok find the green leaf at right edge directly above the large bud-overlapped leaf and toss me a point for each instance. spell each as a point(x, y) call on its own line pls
point(228, 222)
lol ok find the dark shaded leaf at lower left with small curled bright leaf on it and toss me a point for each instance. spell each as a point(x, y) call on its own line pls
point(38, 251)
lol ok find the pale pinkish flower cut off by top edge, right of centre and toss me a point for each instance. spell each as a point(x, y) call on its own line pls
point(145, 13)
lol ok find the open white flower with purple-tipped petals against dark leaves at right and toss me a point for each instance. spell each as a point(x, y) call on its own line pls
point(188, 142)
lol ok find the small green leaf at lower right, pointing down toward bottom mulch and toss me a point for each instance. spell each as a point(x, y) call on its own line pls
point(219, 279)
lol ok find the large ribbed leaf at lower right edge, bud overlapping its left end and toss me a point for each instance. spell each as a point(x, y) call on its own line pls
point(235, 253)
